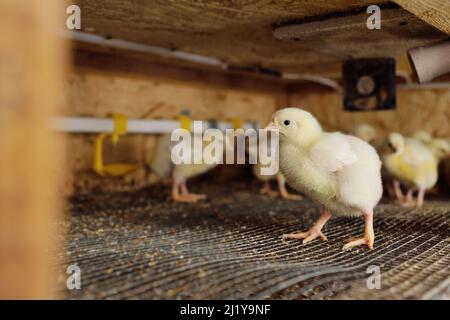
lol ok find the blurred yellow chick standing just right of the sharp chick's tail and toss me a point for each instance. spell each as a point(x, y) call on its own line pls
point(412, 164)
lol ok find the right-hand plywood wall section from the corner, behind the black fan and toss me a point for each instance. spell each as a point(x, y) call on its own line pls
point(423, 109)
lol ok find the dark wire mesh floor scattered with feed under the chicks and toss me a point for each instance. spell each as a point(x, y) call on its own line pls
point(138, 245)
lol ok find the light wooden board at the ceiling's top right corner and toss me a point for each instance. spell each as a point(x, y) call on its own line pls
point(434, 12)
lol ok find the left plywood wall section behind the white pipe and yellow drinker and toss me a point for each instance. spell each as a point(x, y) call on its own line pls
point(100, 89)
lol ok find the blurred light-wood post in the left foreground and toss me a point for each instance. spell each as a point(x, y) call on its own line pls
point(31, 75)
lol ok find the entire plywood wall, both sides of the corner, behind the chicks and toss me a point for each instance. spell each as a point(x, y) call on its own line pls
point(101, 83)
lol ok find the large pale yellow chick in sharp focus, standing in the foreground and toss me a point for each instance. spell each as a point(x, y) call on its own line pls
point(340, 172)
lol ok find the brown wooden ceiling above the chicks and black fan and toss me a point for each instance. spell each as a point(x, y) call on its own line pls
point(243, 33)
